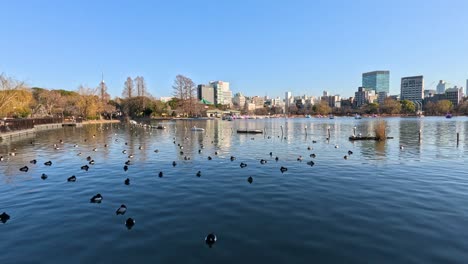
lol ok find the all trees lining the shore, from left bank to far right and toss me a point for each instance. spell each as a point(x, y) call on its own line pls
point(19, 100)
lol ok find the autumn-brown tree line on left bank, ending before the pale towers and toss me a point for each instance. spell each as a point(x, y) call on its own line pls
point(17, 100)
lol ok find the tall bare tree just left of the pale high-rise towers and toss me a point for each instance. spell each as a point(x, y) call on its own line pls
point(184, 90)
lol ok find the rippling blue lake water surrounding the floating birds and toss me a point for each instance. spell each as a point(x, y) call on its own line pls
point(381, 205)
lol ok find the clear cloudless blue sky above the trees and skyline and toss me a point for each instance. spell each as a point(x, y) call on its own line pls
point(261, 47)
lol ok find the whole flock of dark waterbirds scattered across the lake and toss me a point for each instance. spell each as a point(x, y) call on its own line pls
point(130, 222)
